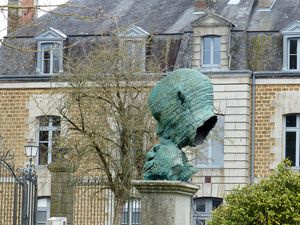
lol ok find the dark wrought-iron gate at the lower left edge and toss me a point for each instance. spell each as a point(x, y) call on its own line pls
point(18, 193)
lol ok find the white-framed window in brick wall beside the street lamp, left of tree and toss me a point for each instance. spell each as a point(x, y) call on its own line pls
point(49, 132)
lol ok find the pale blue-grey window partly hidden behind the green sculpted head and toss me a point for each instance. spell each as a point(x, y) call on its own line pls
point(211, 152)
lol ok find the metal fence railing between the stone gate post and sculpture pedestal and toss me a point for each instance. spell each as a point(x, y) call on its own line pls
point(94, 204)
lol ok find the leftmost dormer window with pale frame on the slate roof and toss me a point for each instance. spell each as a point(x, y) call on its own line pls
point(50, 52)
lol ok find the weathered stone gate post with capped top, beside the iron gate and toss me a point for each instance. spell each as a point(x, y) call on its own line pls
point(62, 190)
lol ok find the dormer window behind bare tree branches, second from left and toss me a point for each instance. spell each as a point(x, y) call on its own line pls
point(133, 41)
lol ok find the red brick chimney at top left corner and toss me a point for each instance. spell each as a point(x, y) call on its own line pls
point(20, 12)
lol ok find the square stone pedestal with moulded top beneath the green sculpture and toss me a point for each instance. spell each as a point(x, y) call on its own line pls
point(165, 202)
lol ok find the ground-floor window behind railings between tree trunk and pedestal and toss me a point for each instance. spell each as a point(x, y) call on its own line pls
point(131, 213)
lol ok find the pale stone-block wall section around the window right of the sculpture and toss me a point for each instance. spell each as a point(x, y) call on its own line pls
point(232, 99)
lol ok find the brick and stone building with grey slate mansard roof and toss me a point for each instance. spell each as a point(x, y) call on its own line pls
point(248, 48)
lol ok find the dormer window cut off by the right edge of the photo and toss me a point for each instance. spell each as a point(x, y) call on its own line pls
point(291, 46)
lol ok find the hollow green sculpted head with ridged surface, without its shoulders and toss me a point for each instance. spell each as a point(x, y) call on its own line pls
point(182, 104)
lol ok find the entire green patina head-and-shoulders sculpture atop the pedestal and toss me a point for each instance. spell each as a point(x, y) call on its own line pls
point(182, 104)
